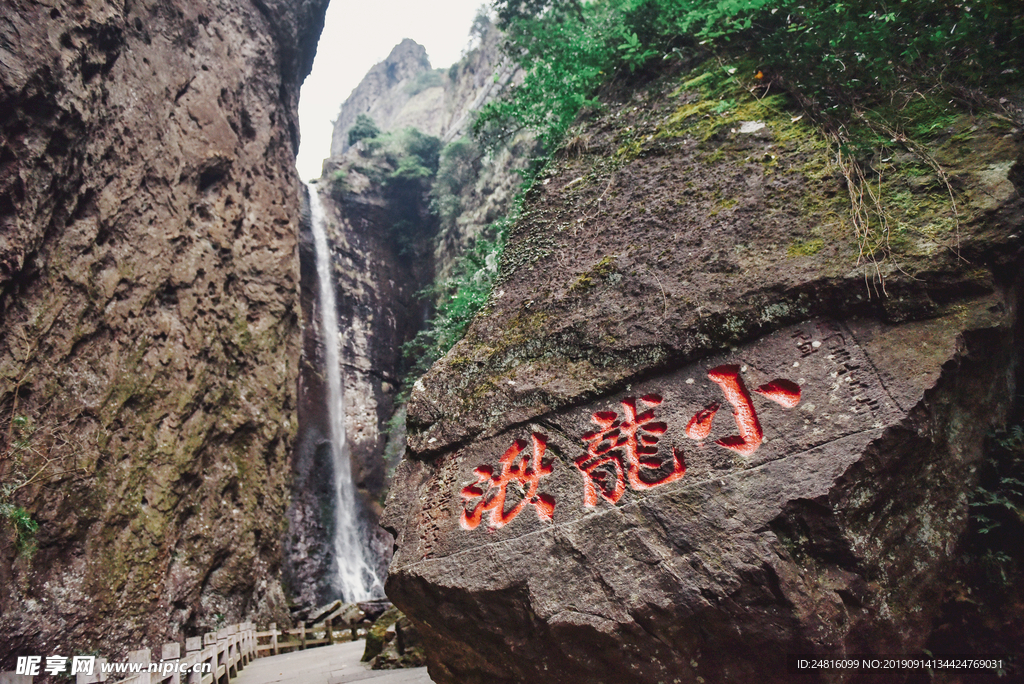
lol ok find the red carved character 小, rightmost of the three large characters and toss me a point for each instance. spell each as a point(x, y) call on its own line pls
point(784, 393)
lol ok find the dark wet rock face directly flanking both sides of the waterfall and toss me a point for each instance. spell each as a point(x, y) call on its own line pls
point(377, 279)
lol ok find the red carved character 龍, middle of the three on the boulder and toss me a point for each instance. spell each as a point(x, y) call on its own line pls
point(622, 450)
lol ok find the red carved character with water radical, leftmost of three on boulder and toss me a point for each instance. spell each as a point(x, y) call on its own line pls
point(522, 473)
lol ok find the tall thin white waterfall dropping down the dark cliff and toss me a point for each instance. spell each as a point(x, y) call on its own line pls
point(355, 578)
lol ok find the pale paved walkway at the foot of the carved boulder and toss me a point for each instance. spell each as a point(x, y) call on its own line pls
point(327, 665)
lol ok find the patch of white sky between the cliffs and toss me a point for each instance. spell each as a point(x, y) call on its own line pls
point(357, 35)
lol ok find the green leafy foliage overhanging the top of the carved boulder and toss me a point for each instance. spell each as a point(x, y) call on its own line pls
point(836, 55)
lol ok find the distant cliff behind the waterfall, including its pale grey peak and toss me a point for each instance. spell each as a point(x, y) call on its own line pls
point(389, 245)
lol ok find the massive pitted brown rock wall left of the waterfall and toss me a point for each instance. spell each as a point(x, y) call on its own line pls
point(148, 277)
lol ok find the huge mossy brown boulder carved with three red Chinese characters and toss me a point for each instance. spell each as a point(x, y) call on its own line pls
point(691, 424)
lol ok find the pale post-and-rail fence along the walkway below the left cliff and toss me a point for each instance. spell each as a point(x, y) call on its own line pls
point(216, 658)
